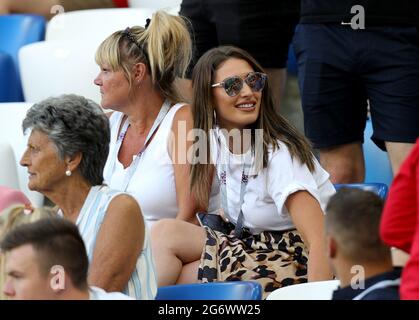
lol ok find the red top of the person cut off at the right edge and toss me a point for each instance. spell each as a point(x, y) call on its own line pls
point(400, 222)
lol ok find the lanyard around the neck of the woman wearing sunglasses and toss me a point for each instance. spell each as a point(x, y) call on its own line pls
point(223, 186)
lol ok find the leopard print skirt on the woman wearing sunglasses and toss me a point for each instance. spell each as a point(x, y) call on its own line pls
point(274, 259)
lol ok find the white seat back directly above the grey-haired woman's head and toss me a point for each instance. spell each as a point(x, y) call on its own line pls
point(59, 67)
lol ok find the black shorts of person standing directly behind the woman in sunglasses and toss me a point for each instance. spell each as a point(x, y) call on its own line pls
point(264, 28)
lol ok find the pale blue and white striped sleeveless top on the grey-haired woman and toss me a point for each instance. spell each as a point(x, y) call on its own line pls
point(143, 282)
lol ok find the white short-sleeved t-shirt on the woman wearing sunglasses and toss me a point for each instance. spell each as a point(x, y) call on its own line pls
point(265, 194)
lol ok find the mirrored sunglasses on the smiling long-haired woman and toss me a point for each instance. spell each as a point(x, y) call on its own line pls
point(233, 85)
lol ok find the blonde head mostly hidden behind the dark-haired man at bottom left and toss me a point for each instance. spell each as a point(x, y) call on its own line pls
point(15, 216)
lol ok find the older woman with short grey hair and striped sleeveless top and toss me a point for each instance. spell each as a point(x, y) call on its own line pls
point(67, 150)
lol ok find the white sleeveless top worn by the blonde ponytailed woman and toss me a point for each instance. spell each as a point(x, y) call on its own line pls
point(153, 182)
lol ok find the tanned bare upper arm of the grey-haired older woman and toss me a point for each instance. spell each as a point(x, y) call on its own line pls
point(118, 245)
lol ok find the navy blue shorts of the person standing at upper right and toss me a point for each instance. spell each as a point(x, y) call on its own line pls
point(340, 69)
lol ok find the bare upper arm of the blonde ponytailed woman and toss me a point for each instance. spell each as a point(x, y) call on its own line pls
point(182, 125)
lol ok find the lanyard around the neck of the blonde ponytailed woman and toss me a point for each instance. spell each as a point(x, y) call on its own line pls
point(134, 164)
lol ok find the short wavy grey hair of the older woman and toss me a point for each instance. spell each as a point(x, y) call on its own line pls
point(75, 125)
